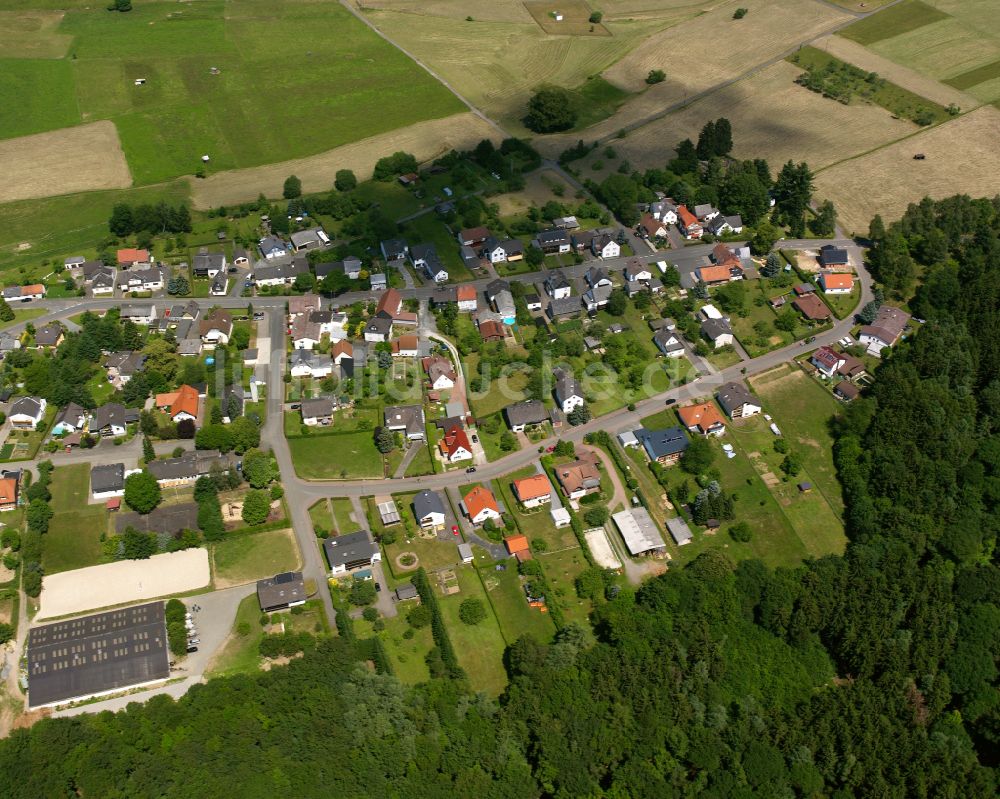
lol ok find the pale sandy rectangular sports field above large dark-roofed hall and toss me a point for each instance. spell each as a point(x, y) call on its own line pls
point(122, 582)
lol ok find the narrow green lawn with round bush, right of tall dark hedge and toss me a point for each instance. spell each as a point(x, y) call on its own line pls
point(479, 647)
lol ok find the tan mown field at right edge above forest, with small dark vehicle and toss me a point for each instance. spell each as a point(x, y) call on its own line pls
point(961, 157)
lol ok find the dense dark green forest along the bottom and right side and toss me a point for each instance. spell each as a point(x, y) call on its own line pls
point(871, 674)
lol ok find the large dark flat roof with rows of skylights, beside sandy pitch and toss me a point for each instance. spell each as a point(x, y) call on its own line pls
point(94, 654)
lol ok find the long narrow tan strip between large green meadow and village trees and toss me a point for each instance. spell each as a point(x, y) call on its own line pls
point(425, 140)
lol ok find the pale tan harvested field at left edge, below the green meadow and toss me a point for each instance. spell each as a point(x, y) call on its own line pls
point(81, 158)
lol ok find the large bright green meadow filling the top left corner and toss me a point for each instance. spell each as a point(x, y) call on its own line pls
point(215, 82)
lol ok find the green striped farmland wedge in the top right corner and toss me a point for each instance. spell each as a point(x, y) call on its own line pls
point(954, 41)
